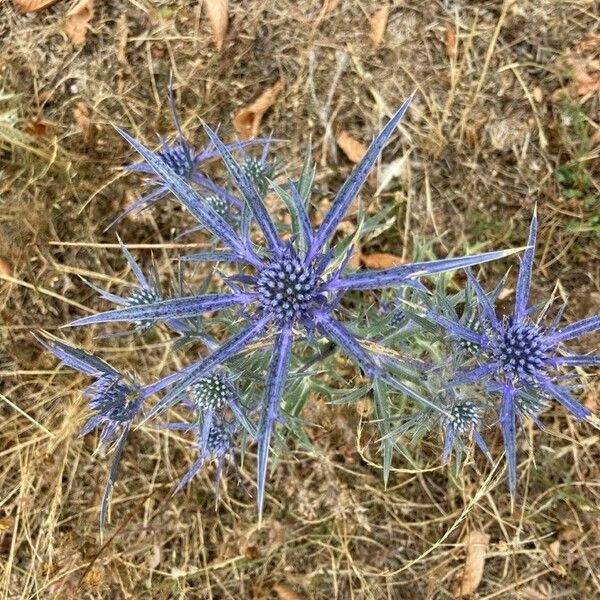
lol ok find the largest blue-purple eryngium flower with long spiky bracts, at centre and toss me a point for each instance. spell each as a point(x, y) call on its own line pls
point(285, 289)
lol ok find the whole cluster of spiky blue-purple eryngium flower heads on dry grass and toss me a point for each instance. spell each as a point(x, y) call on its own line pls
point(287, 291)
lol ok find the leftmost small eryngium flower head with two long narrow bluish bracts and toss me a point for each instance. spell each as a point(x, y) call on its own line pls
point(116, 400)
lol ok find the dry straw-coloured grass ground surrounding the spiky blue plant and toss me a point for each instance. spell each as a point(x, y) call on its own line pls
point(506, 116)
